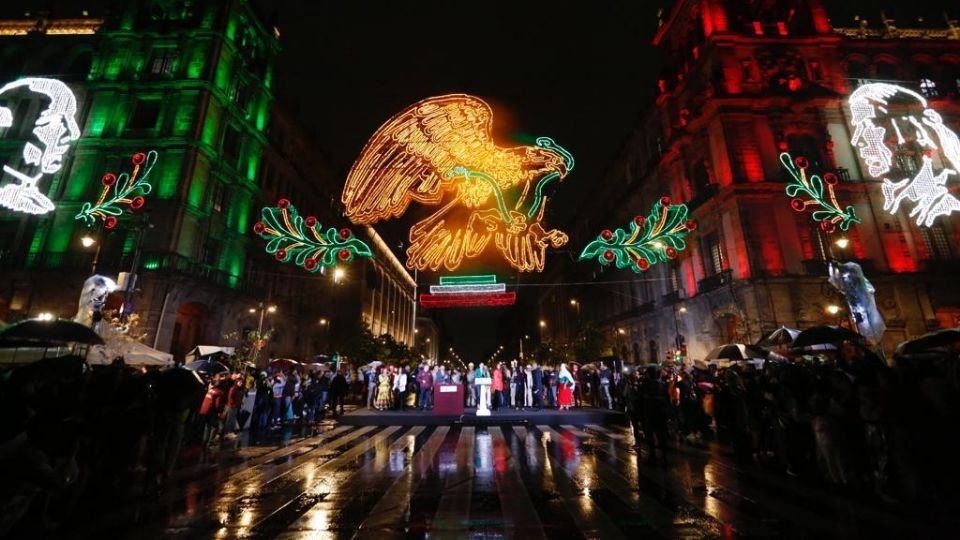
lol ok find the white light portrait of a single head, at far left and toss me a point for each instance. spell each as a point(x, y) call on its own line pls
point(53, 131)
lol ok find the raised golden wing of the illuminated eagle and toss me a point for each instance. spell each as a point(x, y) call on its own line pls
point(408, 158)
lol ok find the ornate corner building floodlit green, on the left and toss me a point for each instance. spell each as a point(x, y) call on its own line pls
point(191, 80)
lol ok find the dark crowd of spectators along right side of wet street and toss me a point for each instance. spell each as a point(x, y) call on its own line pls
point(844, 418)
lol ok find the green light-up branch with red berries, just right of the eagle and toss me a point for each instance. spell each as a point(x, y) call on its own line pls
point(656, 238)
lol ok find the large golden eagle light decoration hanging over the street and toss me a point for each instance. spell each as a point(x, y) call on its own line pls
point(440, 152)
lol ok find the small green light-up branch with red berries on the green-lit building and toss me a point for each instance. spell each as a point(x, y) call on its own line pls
point(128, 191)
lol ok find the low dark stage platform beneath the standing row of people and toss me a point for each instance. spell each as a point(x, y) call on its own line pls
point(587, 415)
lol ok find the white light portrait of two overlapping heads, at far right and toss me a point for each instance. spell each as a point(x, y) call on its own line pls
point(891, 155)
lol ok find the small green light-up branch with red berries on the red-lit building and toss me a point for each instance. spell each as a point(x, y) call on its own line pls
point(829, 215)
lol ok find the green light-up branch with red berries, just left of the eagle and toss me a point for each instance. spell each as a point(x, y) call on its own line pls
point(291, 237)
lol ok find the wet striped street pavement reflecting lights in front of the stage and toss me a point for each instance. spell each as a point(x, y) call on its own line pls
point(533, 481)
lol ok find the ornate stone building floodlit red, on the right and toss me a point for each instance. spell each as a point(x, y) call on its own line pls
point(745, 81)
